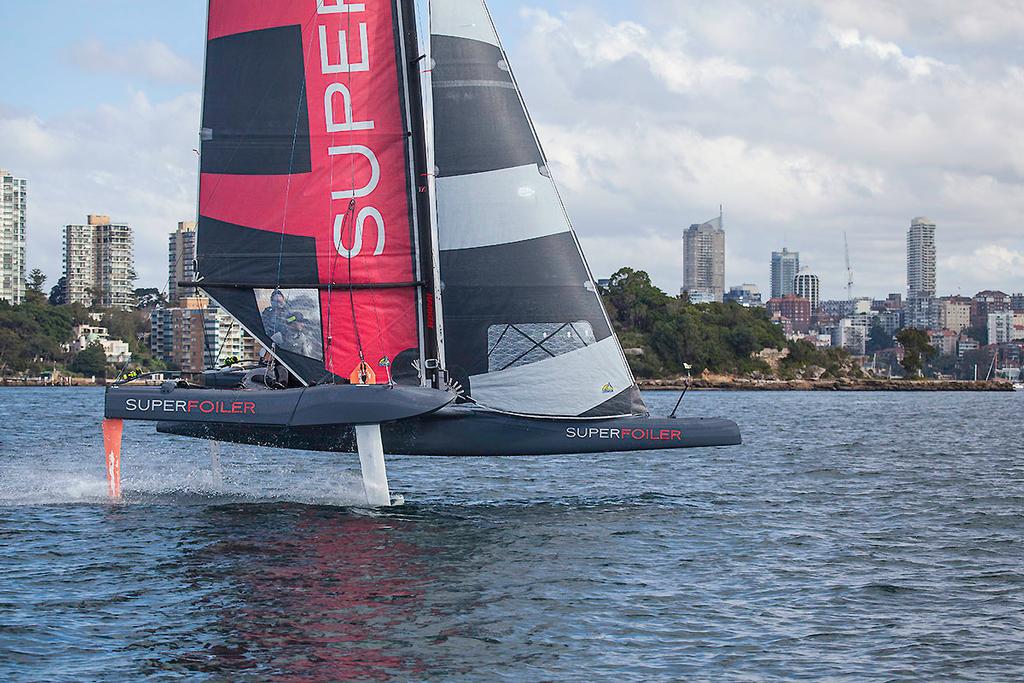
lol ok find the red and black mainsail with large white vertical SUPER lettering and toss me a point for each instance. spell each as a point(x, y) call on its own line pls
point(308, 221)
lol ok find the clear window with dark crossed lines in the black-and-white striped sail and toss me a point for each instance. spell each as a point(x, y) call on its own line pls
point(522, 345)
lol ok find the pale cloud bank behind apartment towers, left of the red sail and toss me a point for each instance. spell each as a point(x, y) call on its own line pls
point(133, 161)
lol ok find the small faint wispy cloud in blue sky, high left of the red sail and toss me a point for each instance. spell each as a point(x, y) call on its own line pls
point(150, 60)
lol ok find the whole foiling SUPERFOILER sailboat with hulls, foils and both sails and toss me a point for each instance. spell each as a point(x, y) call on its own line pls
point(382, 219)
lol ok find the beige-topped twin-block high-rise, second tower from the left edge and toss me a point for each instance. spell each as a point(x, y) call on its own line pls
point(100, 264)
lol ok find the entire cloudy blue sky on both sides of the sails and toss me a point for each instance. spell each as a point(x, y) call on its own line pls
point(805, 119)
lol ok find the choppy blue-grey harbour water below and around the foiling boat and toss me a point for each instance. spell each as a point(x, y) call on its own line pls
point(858, 537)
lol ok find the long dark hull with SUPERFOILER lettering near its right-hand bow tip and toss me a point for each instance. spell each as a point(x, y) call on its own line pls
point(471, 433)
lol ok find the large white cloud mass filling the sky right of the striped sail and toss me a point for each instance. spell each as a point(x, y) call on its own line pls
point(808, 133)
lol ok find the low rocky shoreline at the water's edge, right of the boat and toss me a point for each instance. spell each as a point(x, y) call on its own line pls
point(723, 382)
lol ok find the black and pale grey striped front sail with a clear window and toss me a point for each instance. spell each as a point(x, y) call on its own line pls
point(525, 328)
